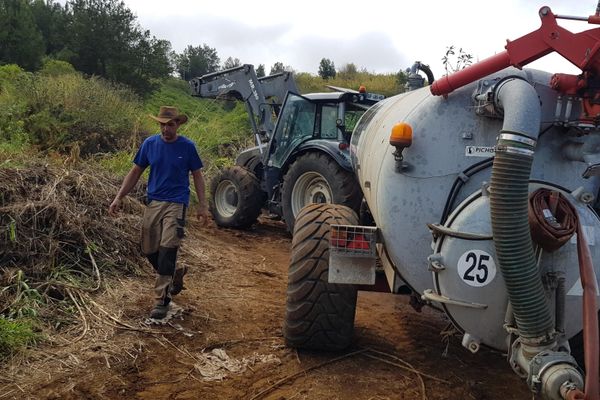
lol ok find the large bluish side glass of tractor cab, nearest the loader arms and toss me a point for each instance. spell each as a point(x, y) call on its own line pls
point(296, 122)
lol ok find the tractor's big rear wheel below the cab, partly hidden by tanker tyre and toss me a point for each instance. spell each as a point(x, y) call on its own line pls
point(317, 178)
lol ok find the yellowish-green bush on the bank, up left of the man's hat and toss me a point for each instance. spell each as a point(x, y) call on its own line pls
point(69, 109)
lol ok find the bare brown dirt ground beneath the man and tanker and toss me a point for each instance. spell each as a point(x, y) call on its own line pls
point(233, 306)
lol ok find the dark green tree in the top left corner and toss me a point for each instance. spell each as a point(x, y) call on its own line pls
point(22, 42)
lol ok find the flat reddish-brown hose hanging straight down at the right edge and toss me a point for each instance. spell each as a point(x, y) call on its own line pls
point(590, 318)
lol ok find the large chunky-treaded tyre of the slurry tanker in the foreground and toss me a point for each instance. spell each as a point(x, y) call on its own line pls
point(319, 315)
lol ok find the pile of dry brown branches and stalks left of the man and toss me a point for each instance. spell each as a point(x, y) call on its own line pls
point(56, 218)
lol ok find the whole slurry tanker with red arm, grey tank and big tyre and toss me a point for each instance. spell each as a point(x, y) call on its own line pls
point(481, 200)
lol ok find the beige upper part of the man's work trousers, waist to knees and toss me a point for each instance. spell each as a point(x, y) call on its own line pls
point(162, 226)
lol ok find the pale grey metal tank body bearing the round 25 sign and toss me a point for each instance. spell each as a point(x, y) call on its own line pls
point(450, 136)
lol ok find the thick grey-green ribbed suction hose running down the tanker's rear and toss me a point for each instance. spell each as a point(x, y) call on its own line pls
point(509, 207)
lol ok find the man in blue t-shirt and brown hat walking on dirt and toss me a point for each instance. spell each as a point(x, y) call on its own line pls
point(171, 158)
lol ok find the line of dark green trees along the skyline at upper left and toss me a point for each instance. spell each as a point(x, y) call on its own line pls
point(99, 38)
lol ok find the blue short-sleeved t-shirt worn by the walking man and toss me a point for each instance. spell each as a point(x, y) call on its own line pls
point(170, 166)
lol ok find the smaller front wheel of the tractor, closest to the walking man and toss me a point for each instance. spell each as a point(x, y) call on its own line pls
point(236, 198)
